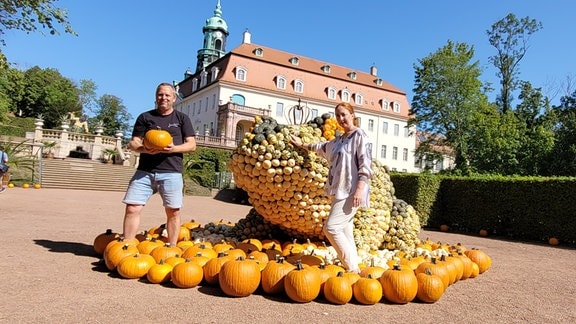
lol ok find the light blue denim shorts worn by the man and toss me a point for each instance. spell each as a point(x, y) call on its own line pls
point(144, 184)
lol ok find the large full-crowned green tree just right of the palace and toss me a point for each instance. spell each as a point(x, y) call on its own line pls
point(447, 94)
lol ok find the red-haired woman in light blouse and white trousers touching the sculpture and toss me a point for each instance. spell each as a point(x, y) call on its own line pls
point(350, 159)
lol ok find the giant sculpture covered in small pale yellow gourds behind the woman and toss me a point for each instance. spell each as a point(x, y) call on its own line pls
point(285, 185)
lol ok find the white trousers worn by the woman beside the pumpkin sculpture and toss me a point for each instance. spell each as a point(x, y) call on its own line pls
point(339, 230)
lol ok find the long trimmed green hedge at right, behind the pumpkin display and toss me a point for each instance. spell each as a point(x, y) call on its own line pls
point(520, 208)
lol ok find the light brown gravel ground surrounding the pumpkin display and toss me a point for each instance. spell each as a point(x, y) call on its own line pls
point(49, 274)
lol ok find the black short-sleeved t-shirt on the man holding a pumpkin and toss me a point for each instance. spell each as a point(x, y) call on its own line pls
point(178, 125)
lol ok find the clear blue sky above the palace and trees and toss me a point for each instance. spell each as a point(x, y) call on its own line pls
point(128, 47)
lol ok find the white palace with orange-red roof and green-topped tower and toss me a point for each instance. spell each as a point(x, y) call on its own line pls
point(228, 89)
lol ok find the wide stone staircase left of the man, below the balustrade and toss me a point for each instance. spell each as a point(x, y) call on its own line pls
point(82, 174)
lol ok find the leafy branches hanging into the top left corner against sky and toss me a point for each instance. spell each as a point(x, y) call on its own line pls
point(30, 15)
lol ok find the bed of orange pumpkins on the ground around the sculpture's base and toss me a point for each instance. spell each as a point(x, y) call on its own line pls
point(291, 268)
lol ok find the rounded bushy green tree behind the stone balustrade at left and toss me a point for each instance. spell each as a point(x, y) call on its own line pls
point(48, 93)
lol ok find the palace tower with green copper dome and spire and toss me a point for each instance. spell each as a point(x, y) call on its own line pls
point(215, 33)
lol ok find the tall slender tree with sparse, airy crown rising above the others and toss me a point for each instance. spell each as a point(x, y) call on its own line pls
point(510, 37)
